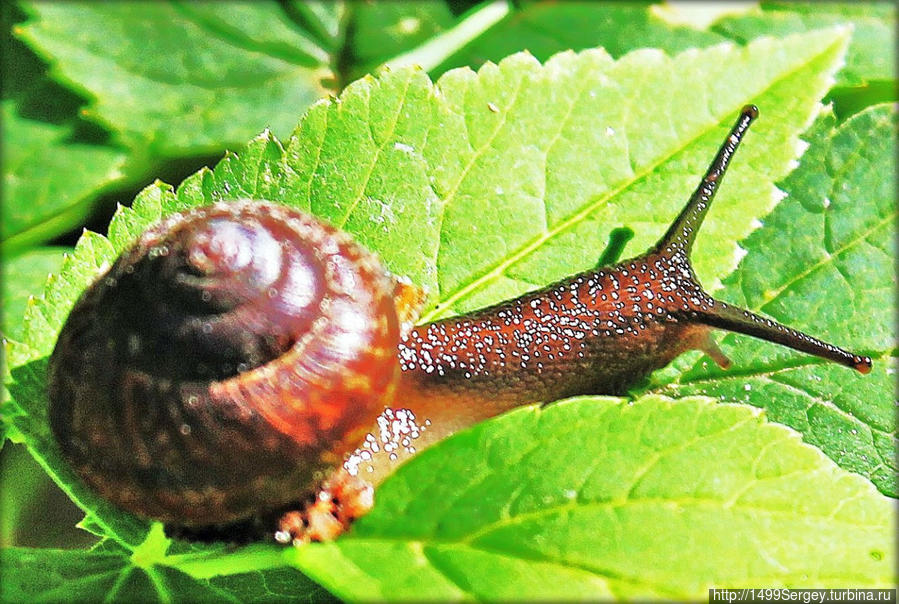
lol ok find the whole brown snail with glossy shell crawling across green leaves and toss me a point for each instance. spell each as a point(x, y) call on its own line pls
point(246, 369)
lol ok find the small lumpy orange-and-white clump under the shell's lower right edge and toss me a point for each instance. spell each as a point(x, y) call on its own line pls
point(339, 501)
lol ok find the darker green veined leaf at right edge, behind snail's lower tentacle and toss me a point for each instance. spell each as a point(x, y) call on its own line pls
point(834, 275)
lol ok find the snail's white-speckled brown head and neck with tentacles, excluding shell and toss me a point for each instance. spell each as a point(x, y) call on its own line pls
point(597, 332)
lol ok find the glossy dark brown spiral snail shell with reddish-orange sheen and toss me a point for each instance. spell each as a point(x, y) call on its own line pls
point(224, 363)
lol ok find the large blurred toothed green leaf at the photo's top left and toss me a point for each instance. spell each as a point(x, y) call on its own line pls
point(182, 78)
